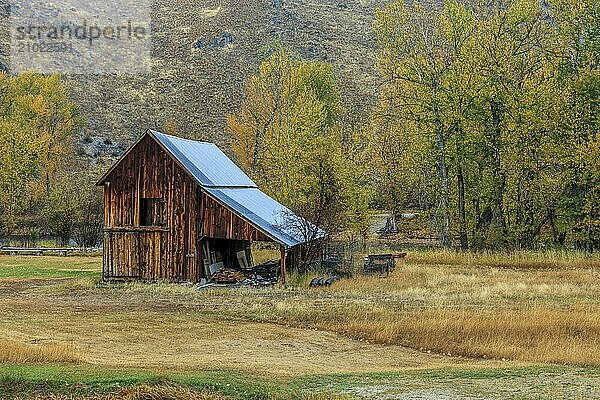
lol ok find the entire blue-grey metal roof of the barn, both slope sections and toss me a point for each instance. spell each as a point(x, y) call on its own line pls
point(224, 181)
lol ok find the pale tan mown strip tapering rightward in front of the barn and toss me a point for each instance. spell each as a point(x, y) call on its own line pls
point(133, 330)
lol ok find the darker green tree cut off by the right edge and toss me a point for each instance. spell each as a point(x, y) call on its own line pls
point(578, 23)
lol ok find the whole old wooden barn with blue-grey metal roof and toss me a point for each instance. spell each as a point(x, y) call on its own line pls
point(174, 208)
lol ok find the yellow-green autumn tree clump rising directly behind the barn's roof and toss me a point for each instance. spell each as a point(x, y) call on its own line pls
point(288, 138)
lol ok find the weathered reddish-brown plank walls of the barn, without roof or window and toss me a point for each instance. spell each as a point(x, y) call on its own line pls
point(171, 251)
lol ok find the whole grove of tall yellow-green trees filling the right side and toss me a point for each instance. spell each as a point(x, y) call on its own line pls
point(493, 100)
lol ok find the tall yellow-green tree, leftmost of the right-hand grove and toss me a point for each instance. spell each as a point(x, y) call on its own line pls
point(421, 62)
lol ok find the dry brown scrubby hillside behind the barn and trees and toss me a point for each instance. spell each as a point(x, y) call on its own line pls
point(202, 55)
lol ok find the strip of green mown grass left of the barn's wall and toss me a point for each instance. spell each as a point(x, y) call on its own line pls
point(42, 267)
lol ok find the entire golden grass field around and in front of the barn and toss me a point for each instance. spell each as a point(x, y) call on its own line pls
point(441, 326)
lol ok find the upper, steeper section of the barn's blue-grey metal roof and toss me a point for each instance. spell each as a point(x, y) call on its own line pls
point(205, 161)
